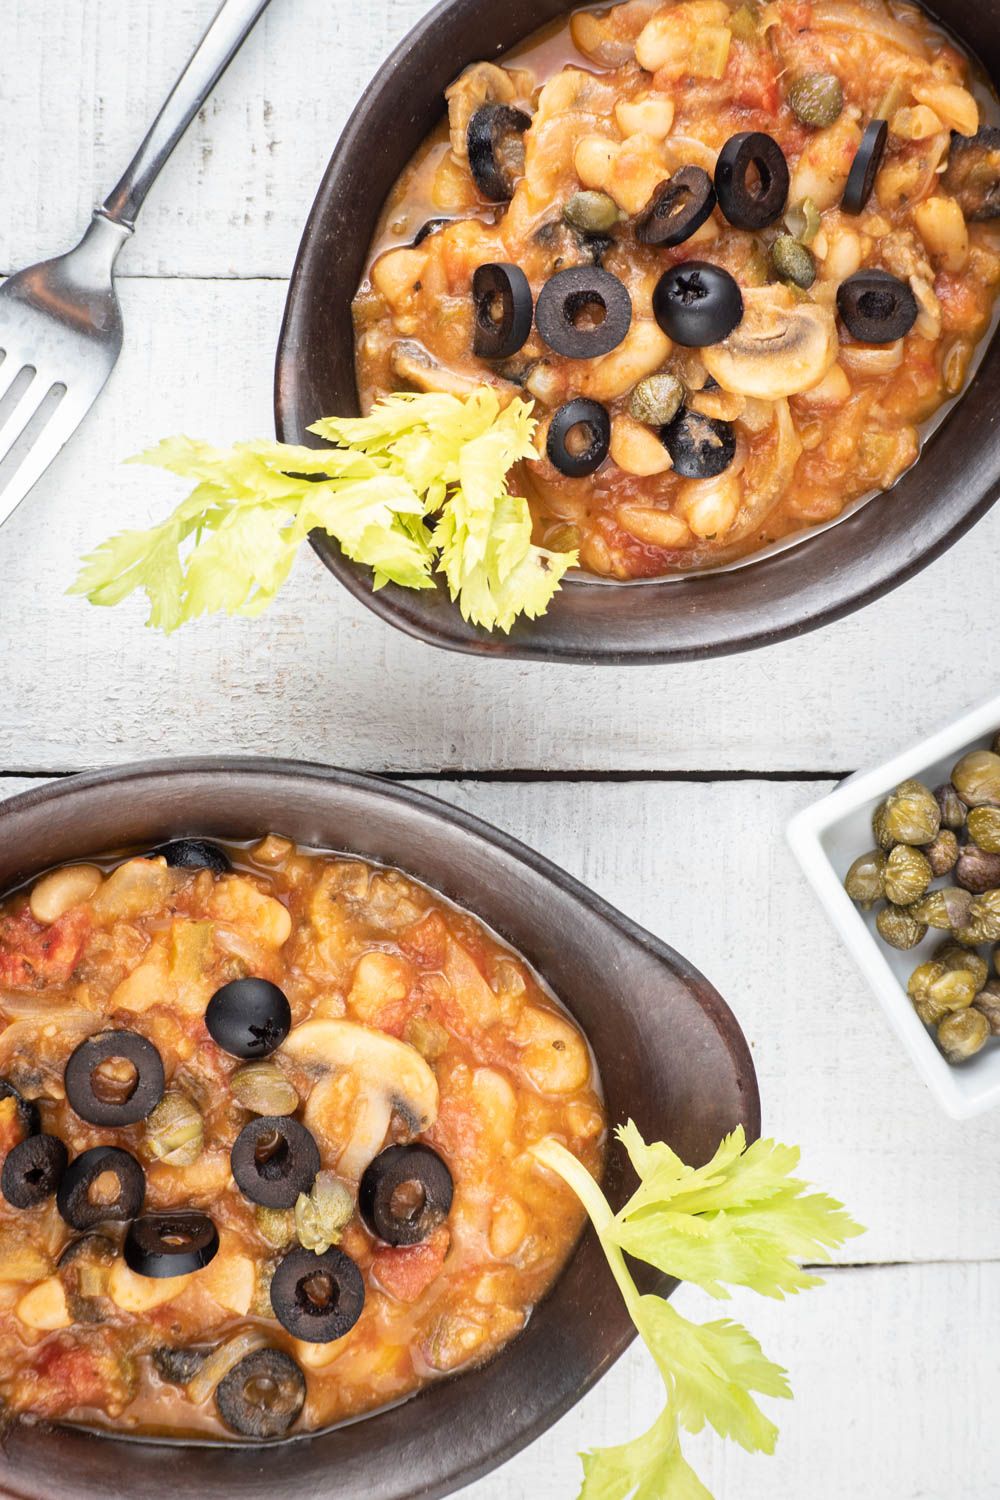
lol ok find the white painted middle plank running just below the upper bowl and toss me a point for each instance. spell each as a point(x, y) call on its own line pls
point(320, 677)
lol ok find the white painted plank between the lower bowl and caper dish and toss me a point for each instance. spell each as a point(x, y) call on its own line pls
point(705, 868)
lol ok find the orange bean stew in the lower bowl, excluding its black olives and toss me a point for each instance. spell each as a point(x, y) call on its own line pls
point(145, 950)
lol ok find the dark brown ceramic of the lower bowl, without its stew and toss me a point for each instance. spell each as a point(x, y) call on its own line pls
point(669, 1051)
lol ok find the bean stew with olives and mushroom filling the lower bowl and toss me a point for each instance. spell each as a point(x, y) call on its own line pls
point(265, 1141)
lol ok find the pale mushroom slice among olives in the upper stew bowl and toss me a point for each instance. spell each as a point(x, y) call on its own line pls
point(779, 350)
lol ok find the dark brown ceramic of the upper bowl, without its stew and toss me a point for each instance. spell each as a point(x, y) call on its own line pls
point(818, 581)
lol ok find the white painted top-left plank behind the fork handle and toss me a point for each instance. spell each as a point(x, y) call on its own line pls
point(80, 82)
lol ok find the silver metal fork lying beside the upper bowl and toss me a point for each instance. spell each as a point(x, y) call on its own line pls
point(61, 322)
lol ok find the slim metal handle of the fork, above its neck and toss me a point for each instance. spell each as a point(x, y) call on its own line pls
point(215, 53)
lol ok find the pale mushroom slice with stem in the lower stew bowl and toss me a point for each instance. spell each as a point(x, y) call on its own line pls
point(365, 1078)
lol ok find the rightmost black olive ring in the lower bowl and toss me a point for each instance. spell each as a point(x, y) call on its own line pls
point(406, 1193)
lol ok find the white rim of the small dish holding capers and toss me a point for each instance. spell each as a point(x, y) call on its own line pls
point(806, 835)
